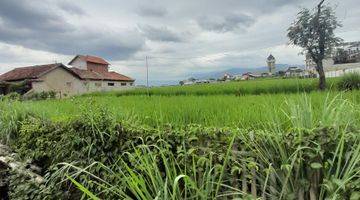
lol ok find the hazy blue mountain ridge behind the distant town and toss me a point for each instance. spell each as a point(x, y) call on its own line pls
point(240, 70)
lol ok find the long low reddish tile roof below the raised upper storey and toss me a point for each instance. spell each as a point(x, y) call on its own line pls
point(92, 75)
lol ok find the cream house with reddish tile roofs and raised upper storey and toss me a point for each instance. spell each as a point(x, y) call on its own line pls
point(87, 74)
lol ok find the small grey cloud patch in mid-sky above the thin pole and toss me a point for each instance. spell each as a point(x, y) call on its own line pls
point(162, 34)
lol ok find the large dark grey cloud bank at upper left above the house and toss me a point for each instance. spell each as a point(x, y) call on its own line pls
point(33, 26)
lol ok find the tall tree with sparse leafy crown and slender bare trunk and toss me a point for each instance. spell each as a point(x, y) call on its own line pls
point(313, 30)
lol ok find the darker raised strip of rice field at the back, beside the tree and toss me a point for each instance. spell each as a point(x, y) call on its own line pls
point(239, 88)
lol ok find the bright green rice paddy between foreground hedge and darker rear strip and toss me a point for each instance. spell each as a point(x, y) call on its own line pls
point(216, 110)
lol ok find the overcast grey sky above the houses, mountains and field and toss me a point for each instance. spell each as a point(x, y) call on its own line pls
point(180, 37)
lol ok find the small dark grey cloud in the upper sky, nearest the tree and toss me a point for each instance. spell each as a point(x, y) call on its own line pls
point(226, 23)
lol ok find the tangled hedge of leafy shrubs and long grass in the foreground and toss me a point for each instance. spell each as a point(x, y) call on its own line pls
point(303, 151)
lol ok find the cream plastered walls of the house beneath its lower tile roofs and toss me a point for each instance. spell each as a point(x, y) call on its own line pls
point(66, 84)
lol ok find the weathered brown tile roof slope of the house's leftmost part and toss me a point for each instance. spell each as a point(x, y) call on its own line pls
point(31, 72)
